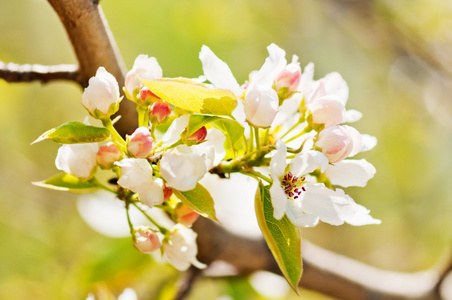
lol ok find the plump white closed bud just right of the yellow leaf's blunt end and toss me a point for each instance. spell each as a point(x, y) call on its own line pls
point(261, 106)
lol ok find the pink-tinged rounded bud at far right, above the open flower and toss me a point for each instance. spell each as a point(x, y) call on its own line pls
point(339, 142)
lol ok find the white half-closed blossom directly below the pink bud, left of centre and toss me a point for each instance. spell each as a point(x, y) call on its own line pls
point(136, 175)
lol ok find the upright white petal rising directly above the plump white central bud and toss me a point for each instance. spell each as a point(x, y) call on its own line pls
point(273, 65)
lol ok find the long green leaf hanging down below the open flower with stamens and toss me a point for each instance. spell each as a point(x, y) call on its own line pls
point(282, 237)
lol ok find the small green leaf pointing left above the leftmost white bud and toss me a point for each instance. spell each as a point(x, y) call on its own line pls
point(75, 132)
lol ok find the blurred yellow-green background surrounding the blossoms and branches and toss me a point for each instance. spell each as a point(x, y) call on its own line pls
point(395, 56)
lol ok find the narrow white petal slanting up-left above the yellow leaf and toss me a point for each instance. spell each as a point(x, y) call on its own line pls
point(218, 72)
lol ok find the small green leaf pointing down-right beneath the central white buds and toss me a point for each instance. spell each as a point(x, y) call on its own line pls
point(199, 200)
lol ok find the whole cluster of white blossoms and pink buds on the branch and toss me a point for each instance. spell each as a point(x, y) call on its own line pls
point(281, 127)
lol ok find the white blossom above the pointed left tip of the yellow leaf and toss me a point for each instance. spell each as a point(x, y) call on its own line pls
point(144, 67)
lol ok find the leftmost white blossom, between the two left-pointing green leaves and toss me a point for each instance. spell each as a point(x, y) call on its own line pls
point(77, 159)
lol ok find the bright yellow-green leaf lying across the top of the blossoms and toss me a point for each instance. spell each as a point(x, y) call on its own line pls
point(193, 96)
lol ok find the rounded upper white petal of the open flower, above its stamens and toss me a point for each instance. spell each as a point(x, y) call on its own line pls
point(307, 162)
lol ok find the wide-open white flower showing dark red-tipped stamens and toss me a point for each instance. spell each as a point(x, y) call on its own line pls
point(305, 202)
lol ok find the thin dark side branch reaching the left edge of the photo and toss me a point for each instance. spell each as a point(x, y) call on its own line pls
point(26, 73)
